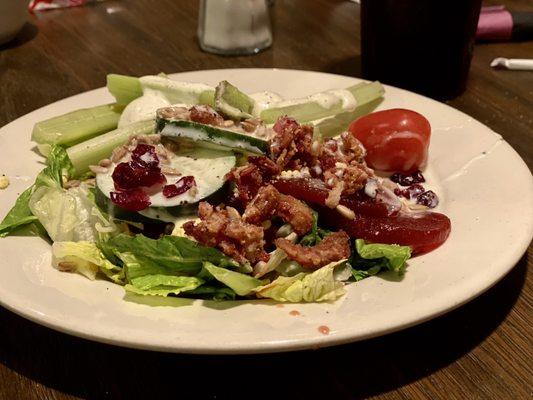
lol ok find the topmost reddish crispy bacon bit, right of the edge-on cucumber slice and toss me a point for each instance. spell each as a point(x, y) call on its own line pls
point(291, 147)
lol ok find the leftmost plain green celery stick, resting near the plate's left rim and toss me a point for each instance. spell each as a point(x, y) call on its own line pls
point(76, 126)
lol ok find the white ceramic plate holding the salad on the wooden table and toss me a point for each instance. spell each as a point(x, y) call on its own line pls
point(484, 187)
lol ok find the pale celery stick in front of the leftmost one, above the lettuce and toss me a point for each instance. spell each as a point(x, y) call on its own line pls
point(93, 150)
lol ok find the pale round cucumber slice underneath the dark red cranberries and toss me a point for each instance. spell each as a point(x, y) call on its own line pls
point(207, 166)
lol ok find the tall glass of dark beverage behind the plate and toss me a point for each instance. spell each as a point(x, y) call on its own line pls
point(422, 45)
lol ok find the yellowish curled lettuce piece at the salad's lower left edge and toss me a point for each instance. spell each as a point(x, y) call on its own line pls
point(85, 258)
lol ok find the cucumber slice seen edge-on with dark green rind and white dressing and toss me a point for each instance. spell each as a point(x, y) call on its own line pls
point(210, 134)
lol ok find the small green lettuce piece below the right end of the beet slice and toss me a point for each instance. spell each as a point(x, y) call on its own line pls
point(371, 258)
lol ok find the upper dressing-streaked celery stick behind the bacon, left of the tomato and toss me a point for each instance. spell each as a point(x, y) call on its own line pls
point(310, 109)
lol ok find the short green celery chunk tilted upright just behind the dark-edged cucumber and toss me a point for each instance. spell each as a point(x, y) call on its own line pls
point(233, 103)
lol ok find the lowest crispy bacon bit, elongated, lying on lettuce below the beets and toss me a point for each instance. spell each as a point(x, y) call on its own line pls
point(332, 248)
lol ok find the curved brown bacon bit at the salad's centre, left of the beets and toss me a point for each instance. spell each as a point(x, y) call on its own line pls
point(269, 202)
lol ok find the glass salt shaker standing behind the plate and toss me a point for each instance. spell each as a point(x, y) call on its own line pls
point(234, 27)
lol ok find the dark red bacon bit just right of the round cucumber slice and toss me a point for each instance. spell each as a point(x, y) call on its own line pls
point(250, 177)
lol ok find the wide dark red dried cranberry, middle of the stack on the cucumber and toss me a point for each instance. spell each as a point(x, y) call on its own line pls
point(131, 176)
